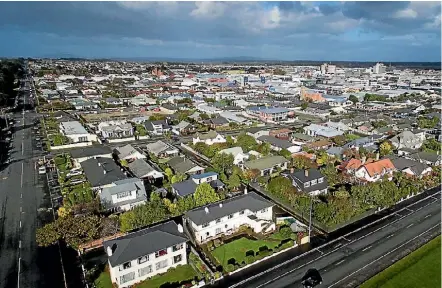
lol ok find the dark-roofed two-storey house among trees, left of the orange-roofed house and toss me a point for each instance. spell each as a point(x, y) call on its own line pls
point(309, 181)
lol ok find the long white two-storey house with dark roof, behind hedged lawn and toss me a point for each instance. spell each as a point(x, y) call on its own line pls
point(225, 217)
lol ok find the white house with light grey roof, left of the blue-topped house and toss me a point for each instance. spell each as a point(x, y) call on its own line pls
point(123, 195)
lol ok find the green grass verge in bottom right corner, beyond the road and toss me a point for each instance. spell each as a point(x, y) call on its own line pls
point(419, 269)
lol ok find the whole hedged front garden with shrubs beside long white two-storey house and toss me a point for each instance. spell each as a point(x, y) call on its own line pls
point(244, 249)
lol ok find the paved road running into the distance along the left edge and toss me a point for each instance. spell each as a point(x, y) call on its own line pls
point(23, 208)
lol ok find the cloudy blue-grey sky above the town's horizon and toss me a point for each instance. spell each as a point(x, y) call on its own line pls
point(320, 31)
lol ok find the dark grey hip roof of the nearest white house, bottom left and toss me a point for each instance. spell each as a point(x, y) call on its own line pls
point(144, 242)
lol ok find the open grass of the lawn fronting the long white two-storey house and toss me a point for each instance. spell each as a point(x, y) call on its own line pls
point(237, 249)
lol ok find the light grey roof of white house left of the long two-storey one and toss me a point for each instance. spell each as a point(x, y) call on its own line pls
point(130, 184)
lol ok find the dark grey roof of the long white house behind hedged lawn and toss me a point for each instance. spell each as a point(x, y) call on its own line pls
point(251, 201)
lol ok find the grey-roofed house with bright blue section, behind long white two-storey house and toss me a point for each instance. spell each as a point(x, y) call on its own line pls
point(189, 186)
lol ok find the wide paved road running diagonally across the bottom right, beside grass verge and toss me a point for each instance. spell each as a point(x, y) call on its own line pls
point(350, 260)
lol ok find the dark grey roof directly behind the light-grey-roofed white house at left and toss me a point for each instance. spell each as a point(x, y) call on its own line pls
point(105, 174)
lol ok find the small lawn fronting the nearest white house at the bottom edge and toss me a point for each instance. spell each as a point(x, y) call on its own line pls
point(174, 275)
